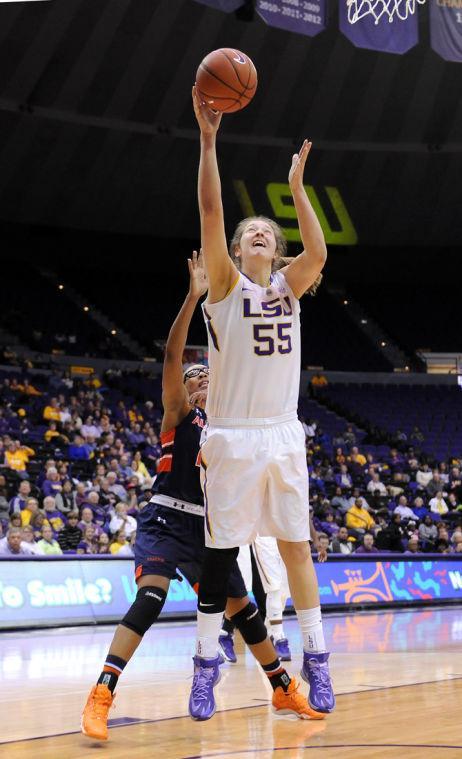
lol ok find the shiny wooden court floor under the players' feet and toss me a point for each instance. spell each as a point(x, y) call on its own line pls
point(397, 676)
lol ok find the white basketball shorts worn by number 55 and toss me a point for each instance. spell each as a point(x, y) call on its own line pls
point(255, 482)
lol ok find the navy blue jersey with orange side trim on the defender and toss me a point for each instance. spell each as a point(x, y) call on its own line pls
point(178, 471)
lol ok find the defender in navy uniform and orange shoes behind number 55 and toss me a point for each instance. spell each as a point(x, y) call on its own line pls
point(170, 533)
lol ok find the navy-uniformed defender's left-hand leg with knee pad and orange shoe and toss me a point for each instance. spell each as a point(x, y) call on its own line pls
point(150, 598)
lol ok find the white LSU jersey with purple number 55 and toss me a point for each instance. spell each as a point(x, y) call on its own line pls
point(254, 352)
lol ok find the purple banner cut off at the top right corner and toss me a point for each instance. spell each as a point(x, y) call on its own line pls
point(446, 28)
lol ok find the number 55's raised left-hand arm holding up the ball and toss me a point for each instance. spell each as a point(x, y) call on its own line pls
point(221, 271)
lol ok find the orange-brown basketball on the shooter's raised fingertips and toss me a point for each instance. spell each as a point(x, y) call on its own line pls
point(226, 80)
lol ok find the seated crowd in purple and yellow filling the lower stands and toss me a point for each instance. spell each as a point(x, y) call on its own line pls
point(78, 458)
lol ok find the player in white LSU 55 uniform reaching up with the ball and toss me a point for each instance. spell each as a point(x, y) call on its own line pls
point(253, 451)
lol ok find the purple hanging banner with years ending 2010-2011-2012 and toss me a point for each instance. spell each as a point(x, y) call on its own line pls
point(306, 17)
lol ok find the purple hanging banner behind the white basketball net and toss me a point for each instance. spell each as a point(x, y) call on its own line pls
point(398, 37)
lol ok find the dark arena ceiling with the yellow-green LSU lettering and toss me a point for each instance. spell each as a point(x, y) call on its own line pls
point(97, 130)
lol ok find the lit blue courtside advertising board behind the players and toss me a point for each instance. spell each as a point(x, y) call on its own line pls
point(65, 591)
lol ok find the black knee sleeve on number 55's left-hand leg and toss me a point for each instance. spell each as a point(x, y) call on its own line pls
point(213, 585)
